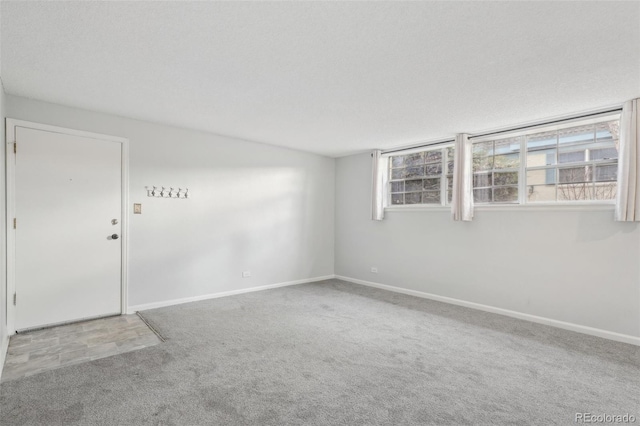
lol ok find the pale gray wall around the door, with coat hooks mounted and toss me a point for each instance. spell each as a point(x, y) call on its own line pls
point(252, 207)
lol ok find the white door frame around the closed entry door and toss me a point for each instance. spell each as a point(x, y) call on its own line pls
point(11, 125)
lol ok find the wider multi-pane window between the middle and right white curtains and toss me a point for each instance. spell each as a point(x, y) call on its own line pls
point(562, 163)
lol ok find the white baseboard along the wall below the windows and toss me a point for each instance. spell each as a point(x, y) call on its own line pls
point(611, 335)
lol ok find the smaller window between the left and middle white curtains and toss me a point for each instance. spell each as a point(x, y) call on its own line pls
point(424, 177)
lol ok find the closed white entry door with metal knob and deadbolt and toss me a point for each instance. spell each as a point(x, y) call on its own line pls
point(67, 238)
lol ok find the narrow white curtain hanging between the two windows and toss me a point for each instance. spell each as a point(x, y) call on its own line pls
point(462, 199)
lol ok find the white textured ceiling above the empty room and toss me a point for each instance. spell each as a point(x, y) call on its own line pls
point(332, 78)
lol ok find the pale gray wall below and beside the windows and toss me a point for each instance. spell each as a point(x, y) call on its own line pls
point(579, 267)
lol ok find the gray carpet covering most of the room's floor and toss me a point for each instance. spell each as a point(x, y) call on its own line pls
point(334, 353)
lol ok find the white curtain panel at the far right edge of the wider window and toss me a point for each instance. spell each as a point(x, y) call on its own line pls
point(628, 193)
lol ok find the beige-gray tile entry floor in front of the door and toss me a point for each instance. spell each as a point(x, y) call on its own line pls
point(41, 350)
